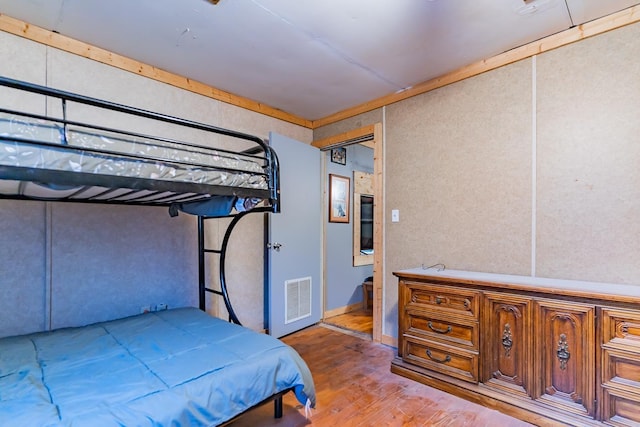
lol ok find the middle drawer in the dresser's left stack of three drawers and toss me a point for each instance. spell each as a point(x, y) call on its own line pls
point(455, 331)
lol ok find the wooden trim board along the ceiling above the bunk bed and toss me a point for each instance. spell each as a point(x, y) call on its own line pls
point(67, 44)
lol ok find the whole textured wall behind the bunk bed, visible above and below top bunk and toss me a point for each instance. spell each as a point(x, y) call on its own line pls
point(108, 261)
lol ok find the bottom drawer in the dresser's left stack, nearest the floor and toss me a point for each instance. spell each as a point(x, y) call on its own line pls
point(442, 358)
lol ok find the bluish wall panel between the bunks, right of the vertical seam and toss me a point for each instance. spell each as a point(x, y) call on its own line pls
point(108, 261)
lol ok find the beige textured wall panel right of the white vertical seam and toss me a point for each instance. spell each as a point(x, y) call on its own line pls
point(588, 159)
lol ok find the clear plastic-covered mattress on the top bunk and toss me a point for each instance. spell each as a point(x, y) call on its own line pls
point(118, 154)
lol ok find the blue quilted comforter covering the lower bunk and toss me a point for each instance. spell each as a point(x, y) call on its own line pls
point(179, 367)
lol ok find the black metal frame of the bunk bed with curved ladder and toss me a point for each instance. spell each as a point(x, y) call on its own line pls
point(260, 151)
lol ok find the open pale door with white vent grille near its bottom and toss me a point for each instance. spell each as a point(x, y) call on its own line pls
point(294, 254)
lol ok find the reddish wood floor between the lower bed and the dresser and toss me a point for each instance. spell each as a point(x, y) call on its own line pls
point(355, 387)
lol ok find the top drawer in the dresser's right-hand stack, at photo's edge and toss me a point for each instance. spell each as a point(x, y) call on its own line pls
point(621, 329)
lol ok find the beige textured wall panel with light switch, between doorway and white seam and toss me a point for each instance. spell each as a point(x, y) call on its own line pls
point(458, 168)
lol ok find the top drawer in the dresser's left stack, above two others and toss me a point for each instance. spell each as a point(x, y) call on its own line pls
point(457, 301)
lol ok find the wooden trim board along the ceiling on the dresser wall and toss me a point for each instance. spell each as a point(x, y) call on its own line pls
point(580, 32)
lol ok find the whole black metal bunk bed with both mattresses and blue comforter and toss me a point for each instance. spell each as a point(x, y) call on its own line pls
point(174, 367)
